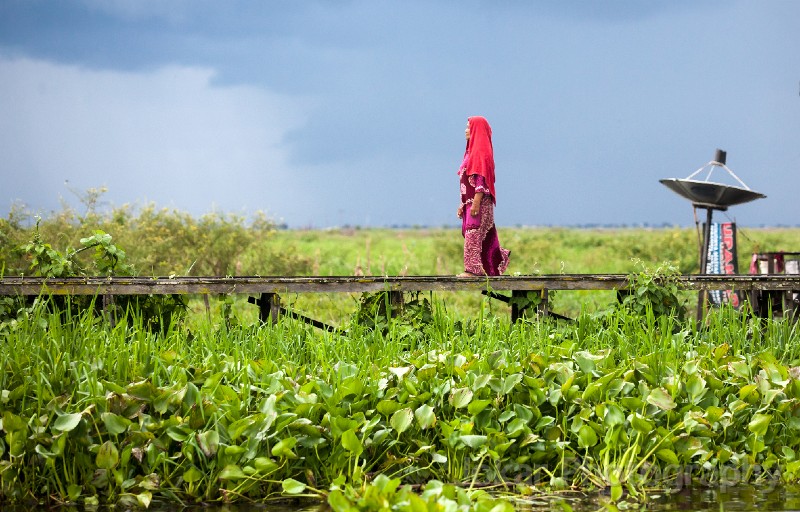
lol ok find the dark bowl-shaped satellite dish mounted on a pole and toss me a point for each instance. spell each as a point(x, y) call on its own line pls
point(710, 194)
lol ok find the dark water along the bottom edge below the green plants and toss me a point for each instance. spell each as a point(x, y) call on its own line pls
point(729, 498)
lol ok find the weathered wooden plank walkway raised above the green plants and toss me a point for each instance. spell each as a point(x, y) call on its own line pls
point(333, 284)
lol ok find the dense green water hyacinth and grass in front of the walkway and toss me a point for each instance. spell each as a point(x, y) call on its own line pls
point(465, 411)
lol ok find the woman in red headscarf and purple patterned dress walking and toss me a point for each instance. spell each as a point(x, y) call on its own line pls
point(482, 252)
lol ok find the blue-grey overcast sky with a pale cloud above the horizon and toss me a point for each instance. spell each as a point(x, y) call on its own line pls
point(324, 113)
